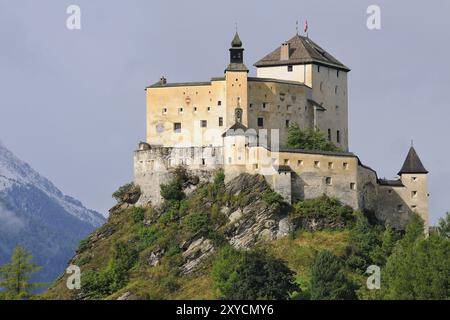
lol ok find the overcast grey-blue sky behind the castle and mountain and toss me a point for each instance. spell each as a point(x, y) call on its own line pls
point(72, 103)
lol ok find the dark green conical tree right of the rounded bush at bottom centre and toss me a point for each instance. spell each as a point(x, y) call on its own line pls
point(328, 281)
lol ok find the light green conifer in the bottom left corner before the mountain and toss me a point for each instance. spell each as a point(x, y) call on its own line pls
point(15, 275)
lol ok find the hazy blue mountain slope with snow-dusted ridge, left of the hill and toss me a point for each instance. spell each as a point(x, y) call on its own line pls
point(34, 213)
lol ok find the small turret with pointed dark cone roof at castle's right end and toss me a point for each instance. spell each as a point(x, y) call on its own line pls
point(414, 177)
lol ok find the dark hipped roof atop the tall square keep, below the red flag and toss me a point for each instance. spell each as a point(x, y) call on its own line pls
point(302, 50)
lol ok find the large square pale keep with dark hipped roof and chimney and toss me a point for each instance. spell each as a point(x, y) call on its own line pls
point(302, 60)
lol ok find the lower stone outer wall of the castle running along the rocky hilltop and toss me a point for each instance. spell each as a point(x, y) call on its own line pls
point(295, 175)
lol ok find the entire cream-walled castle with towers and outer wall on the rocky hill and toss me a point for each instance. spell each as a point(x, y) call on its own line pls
point(240, 124)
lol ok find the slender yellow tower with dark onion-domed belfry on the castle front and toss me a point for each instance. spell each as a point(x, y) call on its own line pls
point(236, 83)
